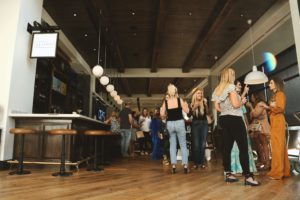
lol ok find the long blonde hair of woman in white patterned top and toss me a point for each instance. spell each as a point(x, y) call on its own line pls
point(227, 77)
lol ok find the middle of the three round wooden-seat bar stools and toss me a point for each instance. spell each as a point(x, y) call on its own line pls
point(63, 133)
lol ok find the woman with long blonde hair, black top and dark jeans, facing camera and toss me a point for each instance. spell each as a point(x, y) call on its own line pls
point(199, 110)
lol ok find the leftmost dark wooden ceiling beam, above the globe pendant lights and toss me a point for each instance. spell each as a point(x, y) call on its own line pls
point(94, 8)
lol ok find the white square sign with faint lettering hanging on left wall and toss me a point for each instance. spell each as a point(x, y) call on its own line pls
point(44, 45)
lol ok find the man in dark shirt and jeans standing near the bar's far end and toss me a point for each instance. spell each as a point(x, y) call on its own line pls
point(125, 128)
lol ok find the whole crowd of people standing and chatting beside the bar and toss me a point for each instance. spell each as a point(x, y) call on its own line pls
point(244, 124)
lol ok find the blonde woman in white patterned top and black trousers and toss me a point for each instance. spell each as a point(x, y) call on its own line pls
point(229, 103)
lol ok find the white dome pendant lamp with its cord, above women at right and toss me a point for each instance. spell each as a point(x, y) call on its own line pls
point(254, 77)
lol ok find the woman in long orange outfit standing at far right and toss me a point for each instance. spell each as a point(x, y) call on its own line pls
point(280, 166)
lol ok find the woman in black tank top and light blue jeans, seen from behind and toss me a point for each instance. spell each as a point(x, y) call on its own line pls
point(173, 107)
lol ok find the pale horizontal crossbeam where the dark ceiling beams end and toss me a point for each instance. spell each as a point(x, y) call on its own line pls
point(162, 73)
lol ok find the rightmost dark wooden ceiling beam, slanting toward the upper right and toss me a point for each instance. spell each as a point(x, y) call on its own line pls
point(216, 18)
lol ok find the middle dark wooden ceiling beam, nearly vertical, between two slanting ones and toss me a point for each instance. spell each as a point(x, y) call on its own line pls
point(160, 23)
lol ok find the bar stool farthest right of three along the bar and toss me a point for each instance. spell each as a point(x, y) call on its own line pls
point(96, 133)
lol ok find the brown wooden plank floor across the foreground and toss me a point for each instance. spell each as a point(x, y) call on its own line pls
point(142, 178)
